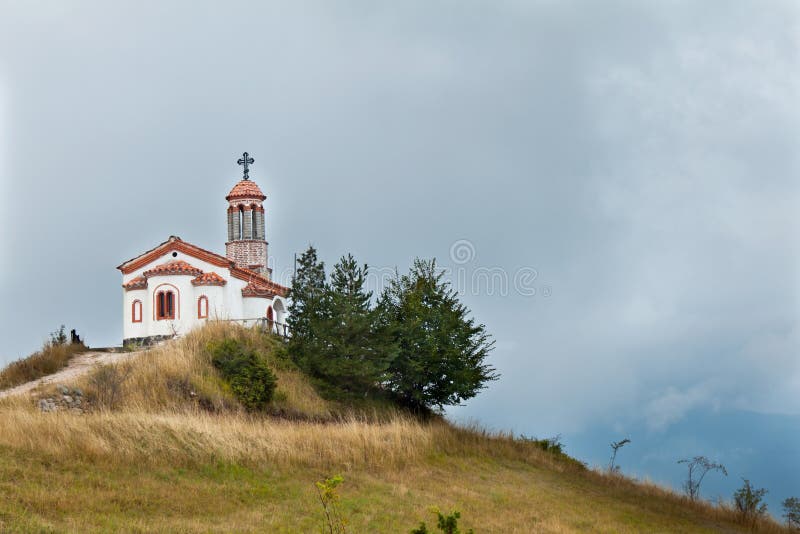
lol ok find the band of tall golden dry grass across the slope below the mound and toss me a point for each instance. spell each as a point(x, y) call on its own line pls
point(195, 438)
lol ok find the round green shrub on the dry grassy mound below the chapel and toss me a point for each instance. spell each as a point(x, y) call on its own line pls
point(248, 375)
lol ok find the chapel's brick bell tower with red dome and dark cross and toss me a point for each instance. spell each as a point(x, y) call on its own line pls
point(247, 244)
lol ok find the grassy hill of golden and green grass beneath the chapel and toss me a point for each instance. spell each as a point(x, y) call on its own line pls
point(167, 448)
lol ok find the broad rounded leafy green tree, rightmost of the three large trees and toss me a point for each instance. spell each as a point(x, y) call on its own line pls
point(441, 349)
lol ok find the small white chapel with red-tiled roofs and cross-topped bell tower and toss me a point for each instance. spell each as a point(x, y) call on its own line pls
point(177, 286)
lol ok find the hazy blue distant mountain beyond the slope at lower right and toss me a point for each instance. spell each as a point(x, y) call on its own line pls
point(765, 448)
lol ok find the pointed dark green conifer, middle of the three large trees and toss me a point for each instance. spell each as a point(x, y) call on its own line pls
point(358, 348)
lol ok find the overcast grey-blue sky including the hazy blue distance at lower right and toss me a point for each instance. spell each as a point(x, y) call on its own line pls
point(612, 186)
